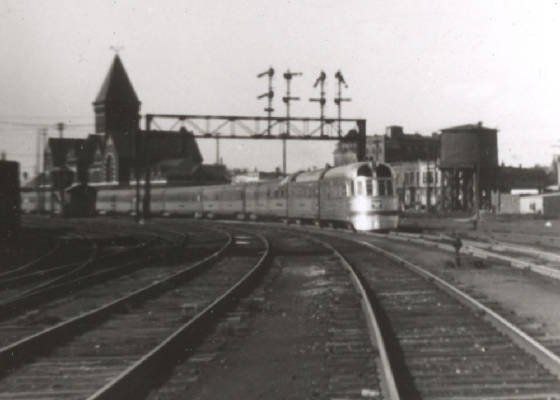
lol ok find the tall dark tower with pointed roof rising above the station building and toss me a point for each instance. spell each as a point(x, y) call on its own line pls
point(116, 106)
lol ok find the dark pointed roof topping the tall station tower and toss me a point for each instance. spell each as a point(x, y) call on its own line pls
point(117, 87)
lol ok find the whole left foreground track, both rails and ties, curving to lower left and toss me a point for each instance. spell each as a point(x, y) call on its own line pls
point(125, 342)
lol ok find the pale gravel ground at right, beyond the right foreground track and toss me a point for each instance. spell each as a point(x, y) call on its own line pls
point(528, 295)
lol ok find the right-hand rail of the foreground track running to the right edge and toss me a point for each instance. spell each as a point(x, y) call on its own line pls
point(548, 359)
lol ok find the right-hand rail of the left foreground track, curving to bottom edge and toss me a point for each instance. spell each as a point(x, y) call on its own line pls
point(134, 378)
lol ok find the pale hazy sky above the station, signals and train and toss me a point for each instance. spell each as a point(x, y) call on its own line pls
point(421, 64)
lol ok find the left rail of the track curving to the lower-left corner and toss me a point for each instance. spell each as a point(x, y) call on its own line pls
point(28, 347)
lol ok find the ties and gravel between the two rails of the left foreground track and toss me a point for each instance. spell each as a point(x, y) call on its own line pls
point(88, 361)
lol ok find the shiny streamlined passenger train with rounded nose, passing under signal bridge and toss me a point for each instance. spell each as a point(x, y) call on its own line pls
point(358, 195)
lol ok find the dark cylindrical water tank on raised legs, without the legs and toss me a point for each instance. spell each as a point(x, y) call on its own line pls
point(466, 146)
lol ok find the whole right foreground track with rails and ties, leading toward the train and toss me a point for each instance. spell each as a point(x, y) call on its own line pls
point(440, 342)
